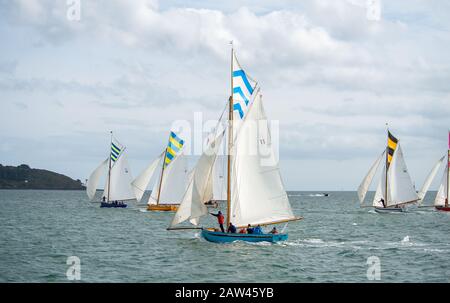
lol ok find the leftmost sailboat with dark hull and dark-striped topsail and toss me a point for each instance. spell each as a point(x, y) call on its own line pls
point(118, 181)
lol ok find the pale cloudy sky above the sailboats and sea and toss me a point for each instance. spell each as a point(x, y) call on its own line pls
point(332, 73)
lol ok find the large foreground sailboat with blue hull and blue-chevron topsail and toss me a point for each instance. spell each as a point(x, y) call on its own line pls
point(255, 191)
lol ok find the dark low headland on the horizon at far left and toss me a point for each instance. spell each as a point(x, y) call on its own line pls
point(25, 177)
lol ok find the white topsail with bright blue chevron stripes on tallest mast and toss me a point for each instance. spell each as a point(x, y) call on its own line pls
point(243, 88)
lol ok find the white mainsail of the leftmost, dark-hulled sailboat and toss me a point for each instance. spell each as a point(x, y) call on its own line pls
point(120, 181)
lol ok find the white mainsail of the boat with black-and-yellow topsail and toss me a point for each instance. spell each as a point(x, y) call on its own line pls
point(400, 186)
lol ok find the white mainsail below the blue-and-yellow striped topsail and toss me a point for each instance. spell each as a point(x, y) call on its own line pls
point(174, 182)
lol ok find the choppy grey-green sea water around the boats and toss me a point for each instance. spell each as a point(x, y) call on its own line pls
point(40, 230)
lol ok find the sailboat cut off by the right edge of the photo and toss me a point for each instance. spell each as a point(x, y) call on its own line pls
point(442, 197)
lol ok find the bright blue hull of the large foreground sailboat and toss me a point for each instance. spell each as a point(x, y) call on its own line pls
point(220, 237)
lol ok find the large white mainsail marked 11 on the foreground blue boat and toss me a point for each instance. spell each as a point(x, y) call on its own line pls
point(258, 194)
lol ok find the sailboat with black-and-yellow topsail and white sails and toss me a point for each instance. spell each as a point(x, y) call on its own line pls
point(395, 188)
